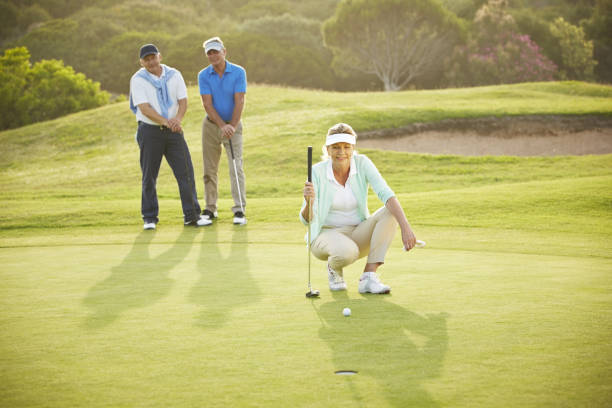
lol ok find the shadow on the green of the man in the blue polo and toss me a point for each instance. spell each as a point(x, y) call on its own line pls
point(225, 282)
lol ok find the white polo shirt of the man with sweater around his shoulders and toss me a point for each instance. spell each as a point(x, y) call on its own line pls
point(142, 91)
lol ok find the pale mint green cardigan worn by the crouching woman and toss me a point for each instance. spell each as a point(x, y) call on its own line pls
point(367, 174)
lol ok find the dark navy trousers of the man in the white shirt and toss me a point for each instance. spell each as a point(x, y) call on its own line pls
point(156, 142)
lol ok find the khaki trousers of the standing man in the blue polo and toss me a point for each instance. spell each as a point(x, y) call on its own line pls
point(212, 139)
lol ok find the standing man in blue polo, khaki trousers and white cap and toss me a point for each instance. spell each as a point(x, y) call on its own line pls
point(223, 89)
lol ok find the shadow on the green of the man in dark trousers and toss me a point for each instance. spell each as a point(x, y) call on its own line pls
point(138, 281)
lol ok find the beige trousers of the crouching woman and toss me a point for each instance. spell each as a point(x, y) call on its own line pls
point(341, 246)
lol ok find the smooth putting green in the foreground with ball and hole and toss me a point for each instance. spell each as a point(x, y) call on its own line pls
point(217, 316)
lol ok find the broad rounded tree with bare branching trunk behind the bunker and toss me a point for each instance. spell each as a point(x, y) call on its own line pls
point(396, 40)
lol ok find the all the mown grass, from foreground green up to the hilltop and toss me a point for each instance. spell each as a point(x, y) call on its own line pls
point(510, 304)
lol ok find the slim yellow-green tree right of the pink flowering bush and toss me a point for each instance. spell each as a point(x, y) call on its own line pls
point(576, 51)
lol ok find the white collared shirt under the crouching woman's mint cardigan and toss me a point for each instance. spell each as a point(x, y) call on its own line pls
point(343, 211)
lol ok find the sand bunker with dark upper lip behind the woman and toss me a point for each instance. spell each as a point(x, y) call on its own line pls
point(516, 136)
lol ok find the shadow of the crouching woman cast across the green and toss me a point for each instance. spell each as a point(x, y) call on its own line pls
point(391, 345)
